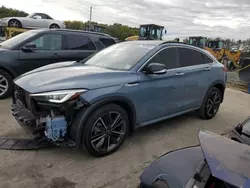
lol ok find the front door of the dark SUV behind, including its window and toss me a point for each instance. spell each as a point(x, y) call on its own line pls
point(46, 45)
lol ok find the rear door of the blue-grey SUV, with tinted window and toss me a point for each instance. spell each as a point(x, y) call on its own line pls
point(194, 67)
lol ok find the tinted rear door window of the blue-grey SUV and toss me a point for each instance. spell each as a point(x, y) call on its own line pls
point(189, 57)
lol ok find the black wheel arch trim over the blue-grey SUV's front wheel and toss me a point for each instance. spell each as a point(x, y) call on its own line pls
point(125, 103)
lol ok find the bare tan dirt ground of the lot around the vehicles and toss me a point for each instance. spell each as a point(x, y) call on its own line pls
point(65, 168)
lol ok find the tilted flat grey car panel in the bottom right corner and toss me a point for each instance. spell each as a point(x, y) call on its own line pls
point(227, 159)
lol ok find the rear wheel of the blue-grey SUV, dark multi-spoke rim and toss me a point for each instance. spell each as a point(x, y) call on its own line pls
point(205, 112)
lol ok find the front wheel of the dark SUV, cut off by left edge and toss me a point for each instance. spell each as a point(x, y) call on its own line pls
point(5, 80)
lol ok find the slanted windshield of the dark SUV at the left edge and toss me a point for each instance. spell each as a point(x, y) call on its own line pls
point(10, 43)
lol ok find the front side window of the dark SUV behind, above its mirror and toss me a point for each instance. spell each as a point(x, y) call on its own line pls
point(48, 42)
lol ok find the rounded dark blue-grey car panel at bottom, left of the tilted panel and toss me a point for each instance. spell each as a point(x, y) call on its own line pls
point(173, 167)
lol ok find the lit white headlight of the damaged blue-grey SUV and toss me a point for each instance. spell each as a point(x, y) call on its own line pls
point(59, 96)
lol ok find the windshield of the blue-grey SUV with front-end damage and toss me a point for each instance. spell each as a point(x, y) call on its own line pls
point(121, 56)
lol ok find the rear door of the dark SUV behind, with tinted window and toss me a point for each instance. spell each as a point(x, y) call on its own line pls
point(76, 47)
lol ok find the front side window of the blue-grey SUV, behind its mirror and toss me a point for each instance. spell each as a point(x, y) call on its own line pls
point(167, 56)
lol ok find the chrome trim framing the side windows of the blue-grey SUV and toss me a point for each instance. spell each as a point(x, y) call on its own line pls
point(188, 47)
